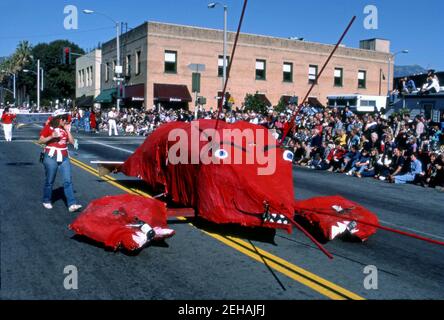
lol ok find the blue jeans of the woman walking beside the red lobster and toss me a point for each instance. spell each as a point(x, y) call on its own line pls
point(51, 167)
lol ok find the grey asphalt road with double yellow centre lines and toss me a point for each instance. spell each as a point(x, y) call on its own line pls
point(207, 261)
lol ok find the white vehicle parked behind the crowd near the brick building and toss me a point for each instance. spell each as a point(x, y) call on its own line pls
point(358, 102)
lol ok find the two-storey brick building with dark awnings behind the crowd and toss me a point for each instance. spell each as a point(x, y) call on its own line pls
point(155, 58)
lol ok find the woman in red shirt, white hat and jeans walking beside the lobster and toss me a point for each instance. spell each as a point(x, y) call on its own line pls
point(56, 136)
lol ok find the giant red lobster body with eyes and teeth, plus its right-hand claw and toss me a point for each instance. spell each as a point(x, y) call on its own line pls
point(236, 193)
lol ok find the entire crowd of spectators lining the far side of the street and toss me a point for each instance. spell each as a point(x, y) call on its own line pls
point(396, 149)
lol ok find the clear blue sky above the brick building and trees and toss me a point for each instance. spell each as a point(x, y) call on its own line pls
point(410, 24)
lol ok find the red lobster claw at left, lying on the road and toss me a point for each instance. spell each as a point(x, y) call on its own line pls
point(127, 221)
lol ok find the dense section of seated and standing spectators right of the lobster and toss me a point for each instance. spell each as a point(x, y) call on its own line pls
point(396, 149)
